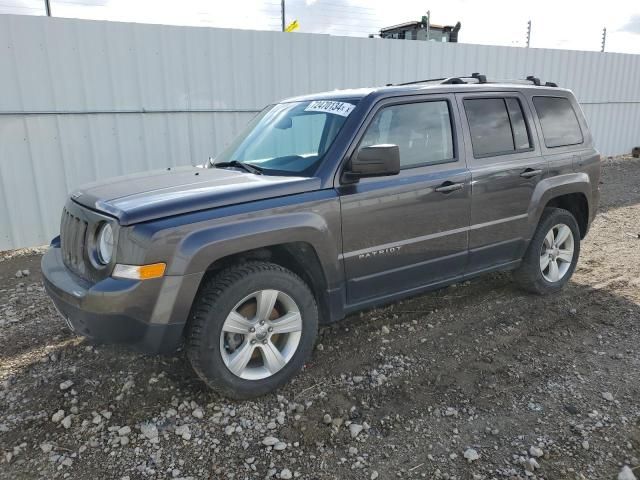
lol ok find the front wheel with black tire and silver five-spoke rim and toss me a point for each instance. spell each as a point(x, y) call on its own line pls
point(252, 328)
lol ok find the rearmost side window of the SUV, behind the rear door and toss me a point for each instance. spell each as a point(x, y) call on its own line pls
point(559, 123)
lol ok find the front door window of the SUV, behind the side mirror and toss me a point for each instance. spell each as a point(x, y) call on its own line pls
point(421, 130)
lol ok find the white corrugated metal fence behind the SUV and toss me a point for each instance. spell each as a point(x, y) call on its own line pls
point(83, 100)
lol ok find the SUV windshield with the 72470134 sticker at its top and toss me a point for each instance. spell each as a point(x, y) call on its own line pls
point(289, 138)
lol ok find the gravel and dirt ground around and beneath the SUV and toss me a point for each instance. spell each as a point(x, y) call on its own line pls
point(475, 381)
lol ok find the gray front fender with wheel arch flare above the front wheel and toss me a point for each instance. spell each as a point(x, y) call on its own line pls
point(305, 242)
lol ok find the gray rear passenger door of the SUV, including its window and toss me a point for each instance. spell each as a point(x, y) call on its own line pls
point(505, 163)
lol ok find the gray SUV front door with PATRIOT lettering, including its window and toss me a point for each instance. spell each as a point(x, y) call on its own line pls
point(403, 233)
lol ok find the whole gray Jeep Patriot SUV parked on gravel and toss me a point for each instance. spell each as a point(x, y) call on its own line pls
point(325, 205)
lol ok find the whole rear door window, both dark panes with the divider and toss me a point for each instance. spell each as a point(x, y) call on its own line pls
point(497, 126)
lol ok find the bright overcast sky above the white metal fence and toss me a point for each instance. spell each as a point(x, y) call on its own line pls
point(569, 24)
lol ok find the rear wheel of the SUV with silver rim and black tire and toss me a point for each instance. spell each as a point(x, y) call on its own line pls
point(552, 254)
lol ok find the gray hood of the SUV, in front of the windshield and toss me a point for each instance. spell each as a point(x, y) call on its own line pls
point(161, 193)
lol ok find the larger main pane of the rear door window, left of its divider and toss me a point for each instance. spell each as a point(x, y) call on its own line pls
point(489, 126)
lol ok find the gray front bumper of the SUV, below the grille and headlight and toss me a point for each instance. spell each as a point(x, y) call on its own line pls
point(147, 315)
